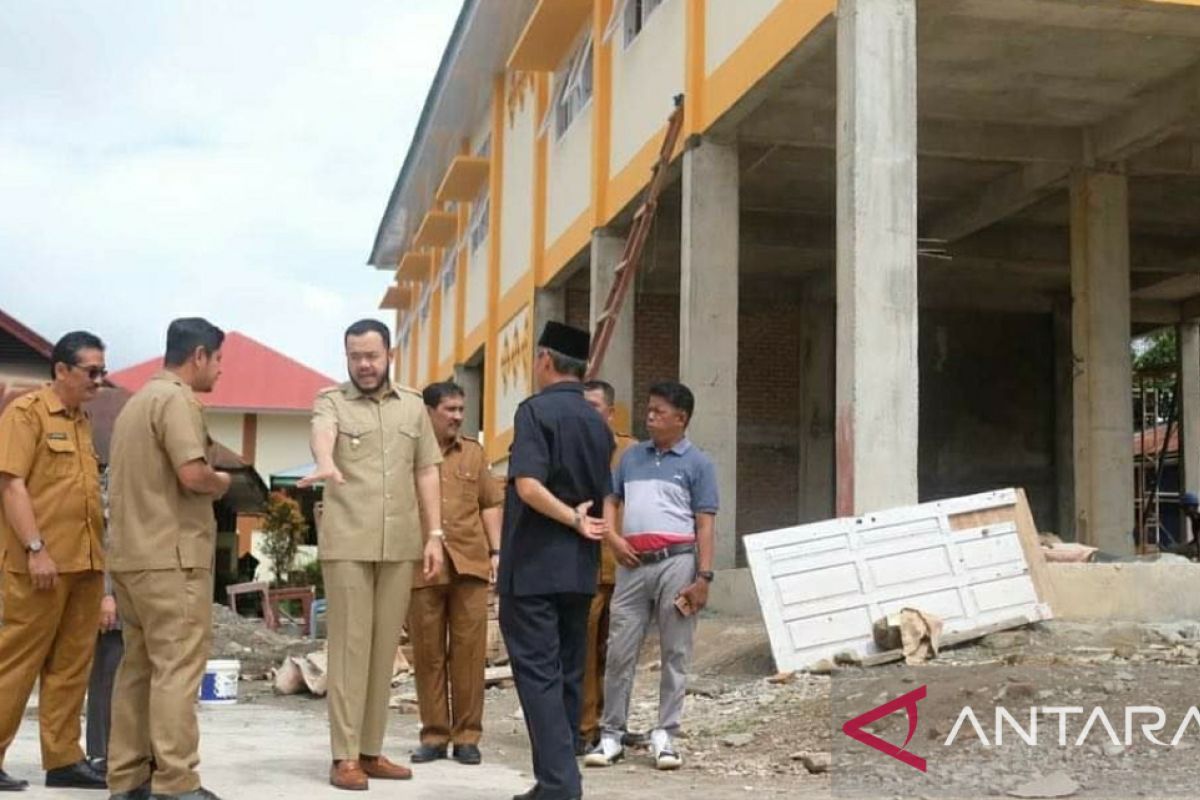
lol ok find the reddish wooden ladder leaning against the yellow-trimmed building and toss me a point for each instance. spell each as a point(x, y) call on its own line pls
point(632, 257)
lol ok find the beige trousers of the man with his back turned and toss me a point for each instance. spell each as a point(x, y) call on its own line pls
point(167, 627)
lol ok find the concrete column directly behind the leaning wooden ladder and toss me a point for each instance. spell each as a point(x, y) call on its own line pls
point(619, 364)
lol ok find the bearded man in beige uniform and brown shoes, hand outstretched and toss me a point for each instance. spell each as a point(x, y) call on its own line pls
point(376, 452)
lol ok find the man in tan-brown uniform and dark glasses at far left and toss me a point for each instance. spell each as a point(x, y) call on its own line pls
point(55, 563)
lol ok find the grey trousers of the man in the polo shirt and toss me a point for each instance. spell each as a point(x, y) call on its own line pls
point(644, 596)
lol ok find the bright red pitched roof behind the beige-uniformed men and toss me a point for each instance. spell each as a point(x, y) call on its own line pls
point(254, 378)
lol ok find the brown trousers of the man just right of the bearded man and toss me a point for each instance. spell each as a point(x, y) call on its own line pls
point(448, 625)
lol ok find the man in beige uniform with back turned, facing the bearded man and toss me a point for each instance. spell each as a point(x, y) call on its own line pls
point(163, 533)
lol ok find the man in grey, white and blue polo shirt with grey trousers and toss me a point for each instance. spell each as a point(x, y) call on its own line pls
point(667, 494)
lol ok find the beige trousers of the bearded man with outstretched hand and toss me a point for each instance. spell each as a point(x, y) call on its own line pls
point(368, 603)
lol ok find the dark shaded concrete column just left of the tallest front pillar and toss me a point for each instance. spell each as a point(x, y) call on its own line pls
point(818, 370)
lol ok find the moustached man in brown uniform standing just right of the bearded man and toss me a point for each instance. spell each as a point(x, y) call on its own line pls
point(448, 617)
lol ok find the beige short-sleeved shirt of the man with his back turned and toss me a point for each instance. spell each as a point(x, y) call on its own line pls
point(155, 524)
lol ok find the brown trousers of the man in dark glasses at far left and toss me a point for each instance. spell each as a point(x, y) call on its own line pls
point(52, 635)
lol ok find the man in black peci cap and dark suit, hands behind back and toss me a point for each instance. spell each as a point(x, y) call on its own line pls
point(550, 554)
